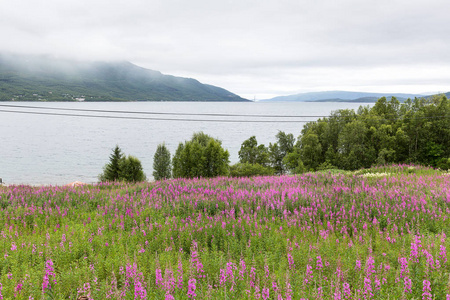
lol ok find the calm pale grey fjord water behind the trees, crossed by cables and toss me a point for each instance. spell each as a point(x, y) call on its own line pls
point(52, 149)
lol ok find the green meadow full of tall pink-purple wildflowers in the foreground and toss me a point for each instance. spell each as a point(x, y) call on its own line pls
point(324, 235)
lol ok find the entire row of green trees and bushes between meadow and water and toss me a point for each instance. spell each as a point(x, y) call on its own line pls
point(416, 131)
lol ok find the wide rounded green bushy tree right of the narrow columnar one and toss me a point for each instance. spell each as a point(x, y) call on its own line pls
point(202, 156)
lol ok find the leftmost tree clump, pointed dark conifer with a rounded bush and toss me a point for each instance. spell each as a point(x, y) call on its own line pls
point(121, 168)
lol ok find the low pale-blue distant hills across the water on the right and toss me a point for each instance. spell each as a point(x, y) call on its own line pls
point(341, 96)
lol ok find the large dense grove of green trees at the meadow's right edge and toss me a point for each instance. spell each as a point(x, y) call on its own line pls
point(417, 131)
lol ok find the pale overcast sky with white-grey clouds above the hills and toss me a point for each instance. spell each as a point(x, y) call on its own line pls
point(259, 48)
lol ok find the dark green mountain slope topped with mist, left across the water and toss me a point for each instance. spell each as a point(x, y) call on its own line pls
point(45, 78)
